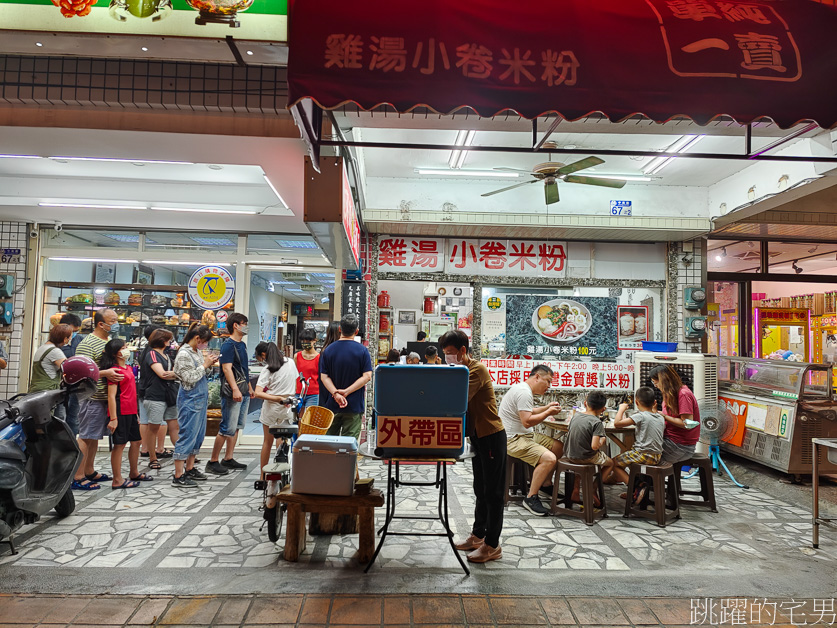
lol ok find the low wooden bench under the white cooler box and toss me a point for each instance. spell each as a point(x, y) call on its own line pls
point(361, 505)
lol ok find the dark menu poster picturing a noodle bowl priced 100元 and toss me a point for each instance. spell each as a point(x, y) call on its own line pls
point(539, 325)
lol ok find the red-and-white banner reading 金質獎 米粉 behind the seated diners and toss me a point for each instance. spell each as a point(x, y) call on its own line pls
point(573, 375)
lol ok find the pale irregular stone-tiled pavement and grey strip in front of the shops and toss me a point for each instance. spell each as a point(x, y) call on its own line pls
point(161, 540)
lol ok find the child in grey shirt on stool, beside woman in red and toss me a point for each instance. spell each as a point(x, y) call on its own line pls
point(648, 444)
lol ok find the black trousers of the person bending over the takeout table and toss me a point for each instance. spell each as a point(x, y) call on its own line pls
point(489, 484)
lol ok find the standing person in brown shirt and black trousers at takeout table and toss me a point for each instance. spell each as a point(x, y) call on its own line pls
point(488, 440)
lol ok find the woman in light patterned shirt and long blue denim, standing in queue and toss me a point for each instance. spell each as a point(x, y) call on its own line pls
point(190, 368)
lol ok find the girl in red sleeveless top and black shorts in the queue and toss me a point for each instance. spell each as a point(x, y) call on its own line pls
point(123, 410)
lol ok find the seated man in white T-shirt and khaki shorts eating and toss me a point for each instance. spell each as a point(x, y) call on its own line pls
point(519, 418)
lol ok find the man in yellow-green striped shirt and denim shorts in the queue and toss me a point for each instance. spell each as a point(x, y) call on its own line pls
point(93, 412)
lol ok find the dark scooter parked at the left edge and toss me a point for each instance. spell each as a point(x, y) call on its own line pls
point(39, 457)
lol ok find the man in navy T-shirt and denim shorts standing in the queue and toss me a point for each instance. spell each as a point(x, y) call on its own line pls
point(234, 408)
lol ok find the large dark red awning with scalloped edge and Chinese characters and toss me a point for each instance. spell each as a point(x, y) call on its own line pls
point(660, 58)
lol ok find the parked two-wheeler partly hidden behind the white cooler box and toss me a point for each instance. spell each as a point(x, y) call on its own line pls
point(277, 475)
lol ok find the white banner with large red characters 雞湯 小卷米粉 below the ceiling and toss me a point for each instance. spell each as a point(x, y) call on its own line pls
point(500, 258)
